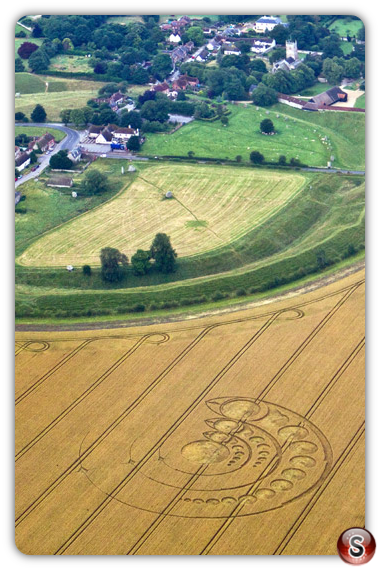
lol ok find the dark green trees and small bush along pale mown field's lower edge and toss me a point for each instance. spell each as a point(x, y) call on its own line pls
point(160, 256)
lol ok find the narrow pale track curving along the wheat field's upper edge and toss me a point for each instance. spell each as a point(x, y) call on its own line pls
point(294, 291)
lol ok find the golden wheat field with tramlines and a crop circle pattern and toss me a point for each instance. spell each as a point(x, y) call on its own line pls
point(237, 433)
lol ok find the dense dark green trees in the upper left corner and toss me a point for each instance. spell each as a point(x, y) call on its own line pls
point(117, 51)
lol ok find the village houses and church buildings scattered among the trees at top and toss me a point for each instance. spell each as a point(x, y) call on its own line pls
point(232, 40)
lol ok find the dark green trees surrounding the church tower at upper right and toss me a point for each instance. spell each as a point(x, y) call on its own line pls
point(234, 75)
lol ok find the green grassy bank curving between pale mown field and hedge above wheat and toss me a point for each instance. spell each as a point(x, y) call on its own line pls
point(328, 217)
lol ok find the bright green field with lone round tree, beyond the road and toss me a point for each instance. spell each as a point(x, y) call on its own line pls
point(298, 135)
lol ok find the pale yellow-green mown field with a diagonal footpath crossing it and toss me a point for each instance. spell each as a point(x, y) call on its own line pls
point(211, 207)
